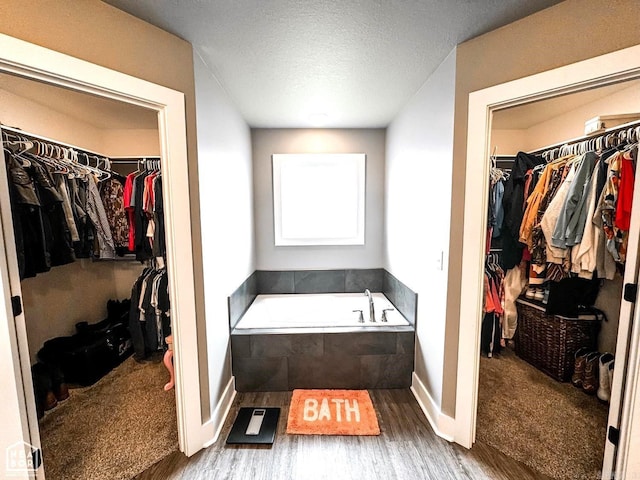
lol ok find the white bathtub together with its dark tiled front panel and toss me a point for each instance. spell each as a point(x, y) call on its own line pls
point(284, 342)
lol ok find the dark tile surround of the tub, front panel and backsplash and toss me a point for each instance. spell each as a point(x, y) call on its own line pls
point(269, 359)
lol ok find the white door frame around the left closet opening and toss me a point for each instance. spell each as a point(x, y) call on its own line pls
point(38, 63)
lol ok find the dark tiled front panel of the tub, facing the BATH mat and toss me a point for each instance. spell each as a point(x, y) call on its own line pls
point(323, 357)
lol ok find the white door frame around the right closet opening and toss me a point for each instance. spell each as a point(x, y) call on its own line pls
point(598, 71)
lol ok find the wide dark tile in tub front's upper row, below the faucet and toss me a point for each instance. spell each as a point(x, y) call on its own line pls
point(361, 343)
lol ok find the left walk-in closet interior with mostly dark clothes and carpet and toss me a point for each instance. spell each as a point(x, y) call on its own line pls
point(85, 186)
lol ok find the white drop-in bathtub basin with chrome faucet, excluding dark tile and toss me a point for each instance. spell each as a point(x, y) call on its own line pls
point(318, 310)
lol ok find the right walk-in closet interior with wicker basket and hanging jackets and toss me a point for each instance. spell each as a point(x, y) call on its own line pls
point(561, 188)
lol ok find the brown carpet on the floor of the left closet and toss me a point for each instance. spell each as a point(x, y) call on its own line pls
point(114, 429)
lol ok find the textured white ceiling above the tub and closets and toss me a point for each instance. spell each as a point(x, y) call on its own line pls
point(357, 61)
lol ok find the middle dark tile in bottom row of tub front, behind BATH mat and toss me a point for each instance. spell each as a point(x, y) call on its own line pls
point(334, 371)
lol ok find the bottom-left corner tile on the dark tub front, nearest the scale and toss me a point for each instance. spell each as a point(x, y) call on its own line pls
point(260, 374)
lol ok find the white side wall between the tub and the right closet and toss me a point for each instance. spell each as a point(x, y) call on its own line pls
point(417, 210)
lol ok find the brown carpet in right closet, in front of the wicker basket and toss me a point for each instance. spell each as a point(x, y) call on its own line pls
point(553, 427)
